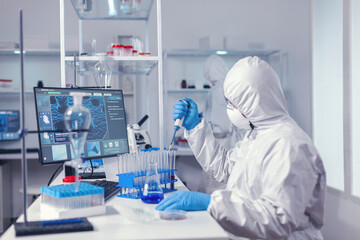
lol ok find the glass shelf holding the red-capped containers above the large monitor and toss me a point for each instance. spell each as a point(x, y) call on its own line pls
point(119, 65)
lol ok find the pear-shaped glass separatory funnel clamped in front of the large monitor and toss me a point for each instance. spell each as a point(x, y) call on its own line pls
point(77, 120)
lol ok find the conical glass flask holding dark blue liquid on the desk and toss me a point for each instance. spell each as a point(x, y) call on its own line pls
point(152, 192)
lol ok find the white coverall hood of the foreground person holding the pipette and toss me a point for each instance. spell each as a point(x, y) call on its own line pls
point(254, 88)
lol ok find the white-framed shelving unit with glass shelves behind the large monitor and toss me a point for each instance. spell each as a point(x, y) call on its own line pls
point(103, 10)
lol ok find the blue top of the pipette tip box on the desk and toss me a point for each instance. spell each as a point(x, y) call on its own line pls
point(68, 190)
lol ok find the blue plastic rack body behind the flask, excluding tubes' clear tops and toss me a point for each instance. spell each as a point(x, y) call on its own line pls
point(132, 184)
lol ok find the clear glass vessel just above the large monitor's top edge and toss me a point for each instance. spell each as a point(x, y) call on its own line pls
point(102, 73)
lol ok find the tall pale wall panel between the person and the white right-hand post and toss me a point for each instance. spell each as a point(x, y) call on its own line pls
point(328, 88)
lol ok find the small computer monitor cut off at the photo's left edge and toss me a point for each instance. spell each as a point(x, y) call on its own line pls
point(9, 125)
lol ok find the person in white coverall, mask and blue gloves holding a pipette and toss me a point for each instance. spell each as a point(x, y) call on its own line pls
point(275, 176)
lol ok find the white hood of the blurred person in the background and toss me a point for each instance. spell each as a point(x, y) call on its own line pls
point(215, 69)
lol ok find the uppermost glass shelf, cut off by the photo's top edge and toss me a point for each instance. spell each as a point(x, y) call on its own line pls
point(111, 10)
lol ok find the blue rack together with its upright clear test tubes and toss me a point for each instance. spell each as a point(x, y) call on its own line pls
point(133, 167)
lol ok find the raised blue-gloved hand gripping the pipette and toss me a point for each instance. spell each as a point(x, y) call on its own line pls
point(190, 112)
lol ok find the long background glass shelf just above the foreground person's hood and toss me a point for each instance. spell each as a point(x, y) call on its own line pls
point(232, 53)
